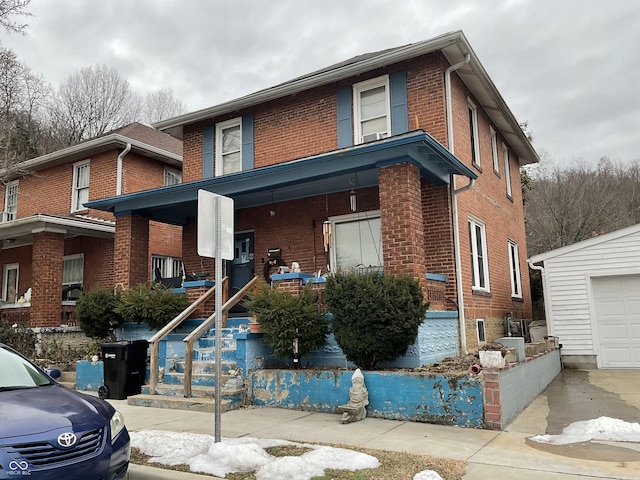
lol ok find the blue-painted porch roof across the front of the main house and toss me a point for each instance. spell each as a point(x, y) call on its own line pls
point(339, 170)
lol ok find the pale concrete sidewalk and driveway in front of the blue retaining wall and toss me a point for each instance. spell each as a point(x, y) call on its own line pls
point(507, 454)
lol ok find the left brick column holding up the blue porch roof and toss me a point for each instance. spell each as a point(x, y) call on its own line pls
point(131, 250)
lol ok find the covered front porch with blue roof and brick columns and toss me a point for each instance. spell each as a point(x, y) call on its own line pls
point(384, 205)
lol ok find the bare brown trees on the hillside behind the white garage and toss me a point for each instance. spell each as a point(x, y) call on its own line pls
point(567, 205)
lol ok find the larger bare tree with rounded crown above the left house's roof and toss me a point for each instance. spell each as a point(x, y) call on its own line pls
point(91, 102)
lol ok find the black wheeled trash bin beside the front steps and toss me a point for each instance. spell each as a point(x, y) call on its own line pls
point(125, 365)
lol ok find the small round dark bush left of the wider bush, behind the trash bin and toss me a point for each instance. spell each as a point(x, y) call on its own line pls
point(96, 311)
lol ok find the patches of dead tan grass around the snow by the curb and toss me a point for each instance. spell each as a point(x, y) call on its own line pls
point(394, 465)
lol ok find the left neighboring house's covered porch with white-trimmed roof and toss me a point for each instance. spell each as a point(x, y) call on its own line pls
point(47, 261)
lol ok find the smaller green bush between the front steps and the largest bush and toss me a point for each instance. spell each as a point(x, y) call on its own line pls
point(285, 317)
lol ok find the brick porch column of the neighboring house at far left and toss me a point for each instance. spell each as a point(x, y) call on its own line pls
point(46, 289)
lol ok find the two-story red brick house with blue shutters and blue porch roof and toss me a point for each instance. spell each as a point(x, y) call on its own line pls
point(405, 160)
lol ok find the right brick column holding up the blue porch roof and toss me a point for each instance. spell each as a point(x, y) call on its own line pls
point(401, 221)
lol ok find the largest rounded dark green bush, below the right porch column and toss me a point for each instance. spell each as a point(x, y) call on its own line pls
point(375, 317)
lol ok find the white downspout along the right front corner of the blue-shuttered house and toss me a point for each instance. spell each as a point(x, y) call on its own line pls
point(454, 202)
